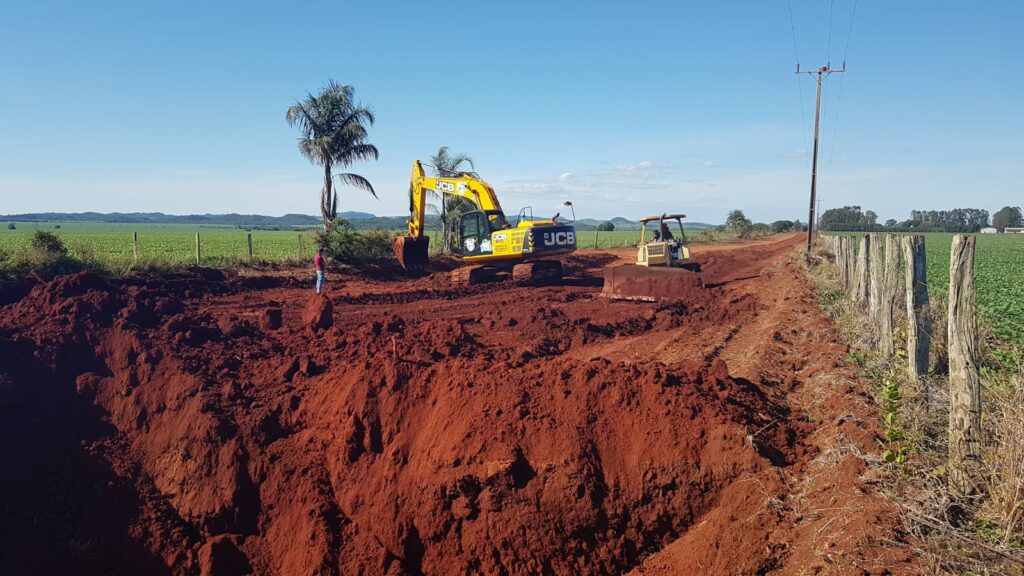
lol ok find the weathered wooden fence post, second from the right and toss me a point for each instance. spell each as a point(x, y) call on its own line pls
point(919, 338)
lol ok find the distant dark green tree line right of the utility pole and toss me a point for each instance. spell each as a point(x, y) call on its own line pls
point(960, 221)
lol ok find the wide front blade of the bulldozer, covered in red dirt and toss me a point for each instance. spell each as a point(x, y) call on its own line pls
point(631, 282)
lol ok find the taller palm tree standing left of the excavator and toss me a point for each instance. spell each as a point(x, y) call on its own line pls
point(334, 134)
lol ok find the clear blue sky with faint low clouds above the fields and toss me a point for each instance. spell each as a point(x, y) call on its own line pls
point(625, 108)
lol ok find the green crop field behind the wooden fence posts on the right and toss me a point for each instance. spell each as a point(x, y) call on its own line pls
point(999, 274)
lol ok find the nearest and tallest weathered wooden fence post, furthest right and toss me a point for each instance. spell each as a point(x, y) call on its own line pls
point(965, 385)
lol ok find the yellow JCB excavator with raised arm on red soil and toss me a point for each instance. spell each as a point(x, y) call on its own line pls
point(487, 241)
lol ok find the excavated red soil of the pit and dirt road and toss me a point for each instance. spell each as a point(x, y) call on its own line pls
point(194, 424)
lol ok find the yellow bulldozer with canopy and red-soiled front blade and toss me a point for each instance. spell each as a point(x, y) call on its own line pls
point(663, 270)
